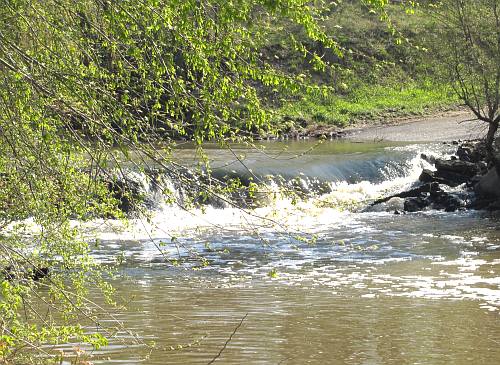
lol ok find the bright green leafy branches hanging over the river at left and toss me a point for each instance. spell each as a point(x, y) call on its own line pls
point(83, 81)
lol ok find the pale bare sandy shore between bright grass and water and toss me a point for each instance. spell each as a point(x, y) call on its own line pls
point(447, 126)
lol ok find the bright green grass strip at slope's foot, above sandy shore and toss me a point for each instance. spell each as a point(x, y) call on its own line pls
point(367, 103)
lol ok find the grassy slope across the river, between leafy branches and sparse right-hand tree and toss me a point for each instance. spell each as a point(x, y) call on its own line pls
point(379, 78)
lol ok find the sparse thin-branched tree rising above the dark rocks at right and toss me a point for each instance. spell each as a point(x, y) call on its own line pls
point(469, 56)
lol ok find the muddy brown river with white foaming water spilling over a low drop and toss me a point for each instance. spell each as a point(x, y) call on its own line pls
point(373, 287)
